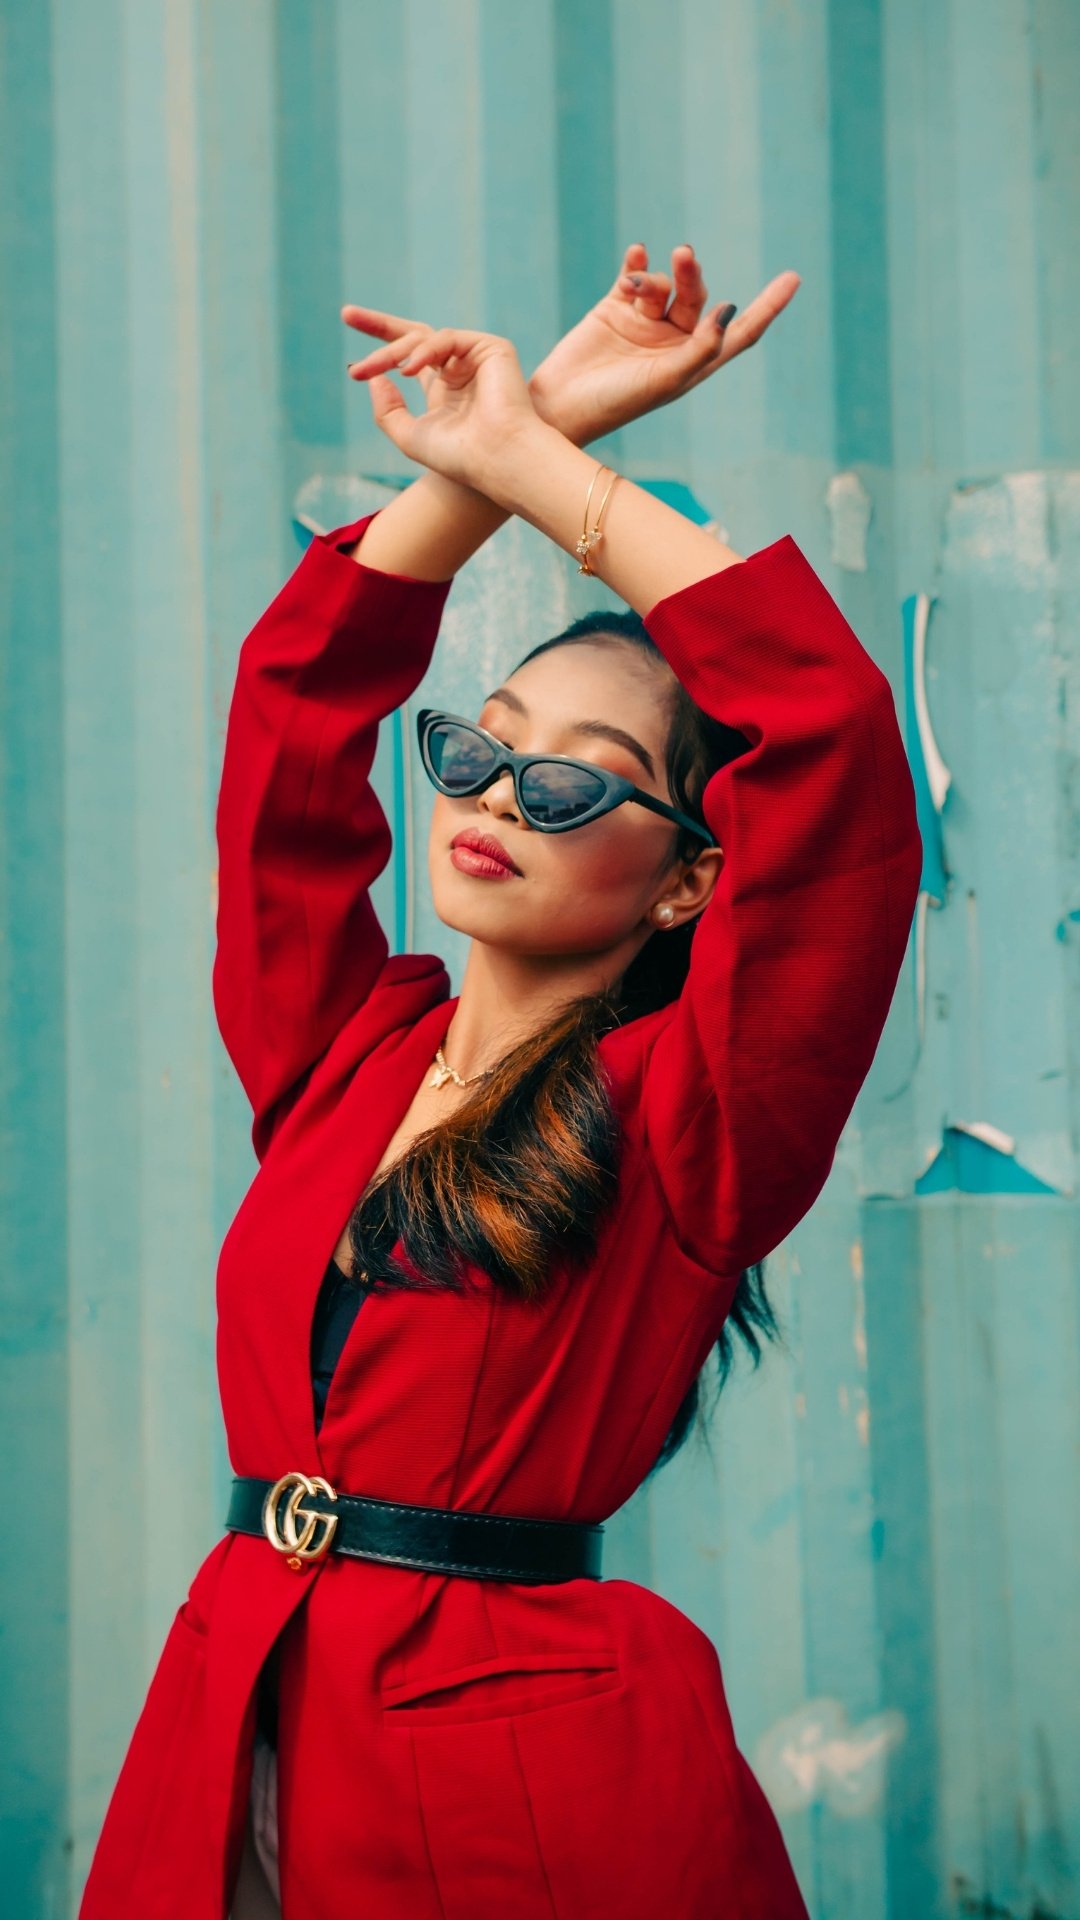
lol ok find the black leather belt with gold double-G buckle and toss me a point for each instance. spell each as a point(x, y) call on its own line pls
point(305, 1520)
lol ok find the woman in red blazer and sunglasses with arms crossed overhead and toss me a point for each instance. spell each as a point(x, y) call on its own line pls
point(551, 1189)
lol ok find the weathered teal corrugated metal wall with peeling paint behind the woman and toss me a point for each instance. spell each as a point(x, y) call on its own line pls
point(885, 1537)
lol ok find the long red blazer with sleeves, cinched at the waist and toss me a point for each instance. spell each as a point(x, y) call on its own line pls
point(456, 1748)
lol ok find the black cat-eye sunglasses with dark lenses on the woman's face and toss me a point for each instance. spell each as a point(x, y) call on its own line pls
point(554, 792)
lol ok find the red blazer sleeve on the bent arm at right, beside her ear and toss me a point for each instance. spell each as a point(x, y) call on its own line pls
point(797, 957)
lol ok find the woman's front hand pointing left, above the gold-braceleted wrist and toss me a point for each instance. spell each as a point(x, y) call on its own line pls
point(478, 400)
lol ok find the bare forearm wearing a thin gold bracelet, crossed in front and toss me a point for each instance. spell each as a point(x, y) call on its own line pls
point(649, 550)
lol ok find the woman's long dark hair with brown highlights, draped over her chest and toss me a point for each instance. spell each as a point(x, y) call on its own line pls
point(524, 1172)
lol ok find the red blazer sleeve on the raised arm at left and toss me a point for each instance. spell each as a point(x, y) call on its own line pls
point(301, 834)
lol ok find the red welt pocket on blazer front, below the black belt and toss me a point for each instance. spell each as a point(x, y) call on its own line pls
point(503, 1685)
